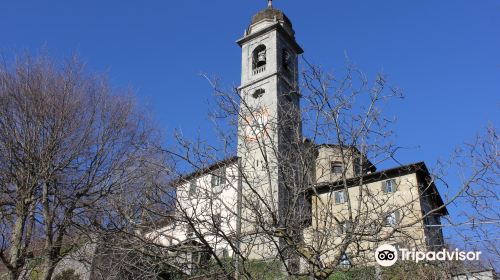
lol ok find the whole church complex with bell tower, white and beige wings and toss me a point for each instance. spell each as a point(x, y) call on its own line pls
point(283, 196)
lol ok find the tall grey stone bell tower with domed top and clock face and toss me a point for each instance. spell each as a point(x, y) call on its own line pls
point(269, 127)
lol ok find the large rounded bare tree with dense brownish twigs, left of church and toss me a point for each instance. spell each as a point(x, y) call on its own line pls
point(69, 143)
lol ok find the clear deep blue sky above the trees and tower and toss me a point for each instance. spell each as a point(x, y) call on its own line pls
point(444, 53)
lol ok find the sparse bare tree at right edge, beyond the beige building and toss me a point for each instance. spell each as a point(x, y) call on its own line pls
point(475, 165)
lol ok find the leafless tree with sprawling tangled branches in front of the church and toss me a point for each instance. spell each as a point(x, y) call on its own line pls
point(283, 213)
